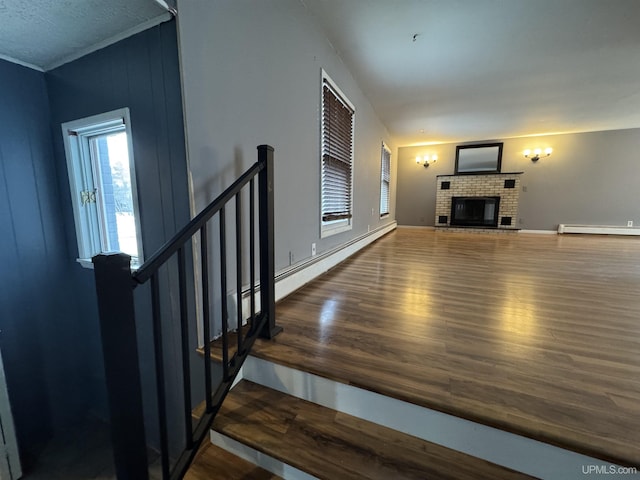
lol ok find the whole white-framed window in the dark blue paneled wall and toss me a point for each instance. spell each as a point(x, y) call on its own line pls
point(103, 185)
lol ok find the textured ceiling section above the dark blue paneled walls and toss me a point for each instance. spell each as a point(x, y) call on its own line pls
point(47, 33)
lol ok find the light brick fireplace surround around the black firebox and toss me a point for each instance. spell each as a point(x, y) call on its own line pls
point(503, 185)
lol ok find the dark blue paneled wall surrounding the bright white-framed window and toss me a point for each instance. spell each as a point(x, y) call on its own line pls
point(141, 73)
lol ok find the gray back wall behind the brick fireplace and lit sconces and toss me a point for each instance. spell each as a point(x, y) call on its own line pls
point(590, 178)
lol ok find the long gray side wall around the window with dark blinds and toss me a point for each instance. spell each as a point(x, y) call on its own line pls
point(252, 75)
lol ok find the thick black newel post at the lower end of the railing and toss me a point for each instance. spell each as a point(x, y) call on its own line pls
point(117, 324)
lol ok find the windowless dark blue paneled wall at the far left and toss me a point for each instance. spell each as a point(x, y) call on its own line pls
point(42, 329)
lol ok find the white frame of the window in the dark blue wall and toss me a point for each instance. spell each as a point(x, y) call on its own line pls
point(77, 135)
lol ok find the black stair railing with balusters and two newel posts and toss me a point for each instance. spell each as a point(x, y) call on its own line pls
point(115, 284)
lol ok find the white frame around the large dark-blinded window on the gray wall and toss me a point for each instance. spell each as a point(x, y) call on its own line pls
point(332, 227)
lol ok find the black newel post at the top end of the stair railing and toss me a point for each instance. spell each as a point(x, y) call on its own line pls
point(267, 261)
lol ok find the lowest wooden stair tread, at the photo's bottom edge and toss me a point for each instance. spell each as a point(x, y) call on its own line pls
point(214, 463)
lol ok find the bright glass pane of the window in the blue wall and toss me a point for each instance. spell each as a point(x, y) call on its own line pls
point(118, 221)
